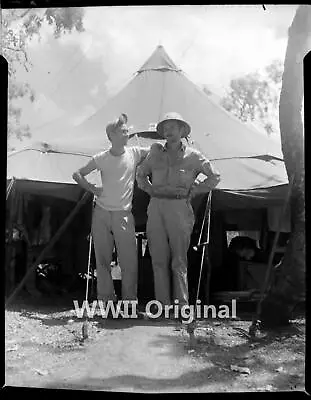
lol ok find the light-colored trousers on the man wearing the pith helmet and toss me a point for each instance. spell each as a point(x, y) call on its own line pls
point(169, 227)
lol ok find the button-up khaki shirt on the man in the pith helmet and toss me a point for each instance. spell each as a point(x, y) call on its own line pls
point(173, 174)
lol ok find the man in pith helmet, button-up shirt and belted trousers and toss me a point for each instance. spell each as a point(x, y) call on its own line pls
point(173, 169)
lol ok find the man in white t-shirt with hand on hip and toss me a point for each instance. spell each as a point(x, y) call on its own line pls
point(113, 221)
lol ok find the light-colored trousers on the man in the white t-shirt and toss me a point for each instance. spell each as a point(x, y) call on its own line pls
point(109, 228)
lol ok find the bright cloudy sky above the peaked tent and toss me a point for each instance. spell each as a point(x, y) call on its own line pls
point(74, 75)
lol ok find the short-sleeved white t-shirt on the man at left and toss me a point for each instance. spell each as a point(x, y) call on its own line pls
point(118, 177)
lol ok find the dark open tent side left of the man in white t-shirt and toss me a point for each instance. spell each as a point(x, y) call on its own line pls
point(49, 228)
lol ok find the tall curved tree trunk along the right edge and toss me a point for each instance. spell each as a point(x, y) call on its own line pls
point(289, 289)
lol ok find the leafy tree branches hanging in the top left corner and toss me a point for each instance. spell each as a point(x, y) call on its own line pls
point(18, 28)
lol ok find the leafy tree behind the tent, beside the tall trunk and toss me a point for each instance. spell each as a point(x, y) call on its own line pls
point(254, 97)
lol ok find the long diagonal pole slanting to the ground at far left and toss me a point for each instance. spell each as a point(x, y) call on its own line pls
point(49, 246)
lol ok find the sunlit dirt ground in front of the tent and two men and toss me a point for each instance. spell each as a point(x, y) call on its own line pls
point(43, 349)
